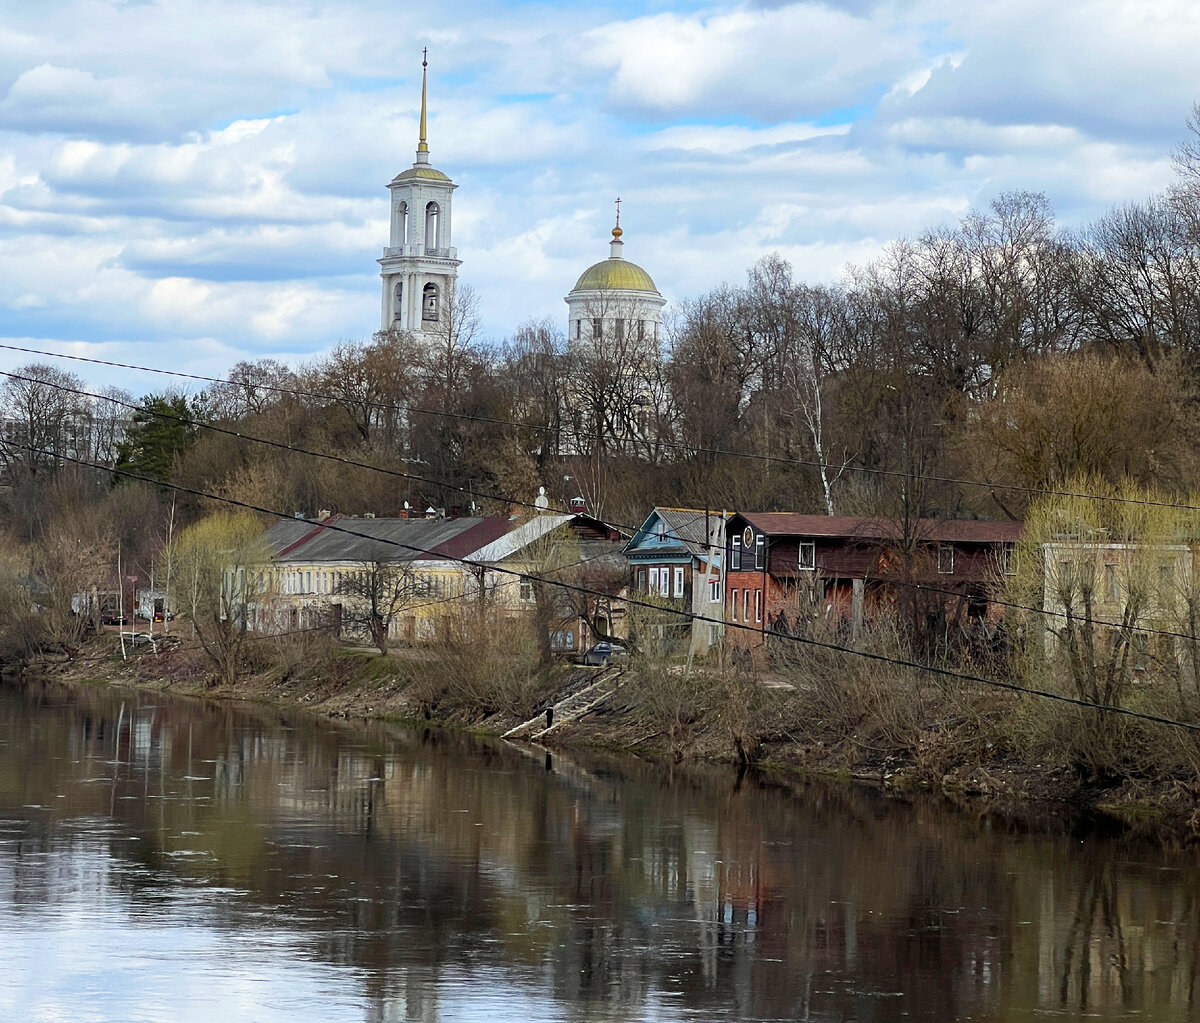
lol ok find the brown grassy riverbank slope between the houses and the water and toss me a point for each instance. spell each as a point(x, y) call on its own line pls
point(664, 716)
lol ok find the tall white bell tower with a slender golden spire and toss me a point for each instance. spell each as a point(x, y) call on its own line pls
point(419, 266)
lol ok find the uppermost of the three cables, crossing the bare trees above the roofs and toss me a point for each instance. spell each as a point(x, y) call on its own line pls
point(1012, 488)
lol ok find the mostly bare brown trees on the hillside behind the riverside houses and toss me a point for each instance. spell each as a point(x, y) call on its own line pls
point(956, 375)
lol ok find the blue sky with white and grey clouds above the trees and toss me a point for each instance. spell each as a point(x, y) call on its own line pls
point(189, 184)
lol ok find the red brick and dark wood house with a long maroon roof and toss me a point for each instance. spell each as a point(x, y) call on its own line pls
point(788, 571)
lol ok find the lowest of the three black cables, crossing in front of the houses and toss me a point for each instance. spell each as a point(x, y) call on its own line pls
point(946, 673)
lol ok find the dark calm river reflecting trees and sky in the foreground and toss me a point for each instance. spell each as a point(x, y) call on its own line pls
point(173, 860)
